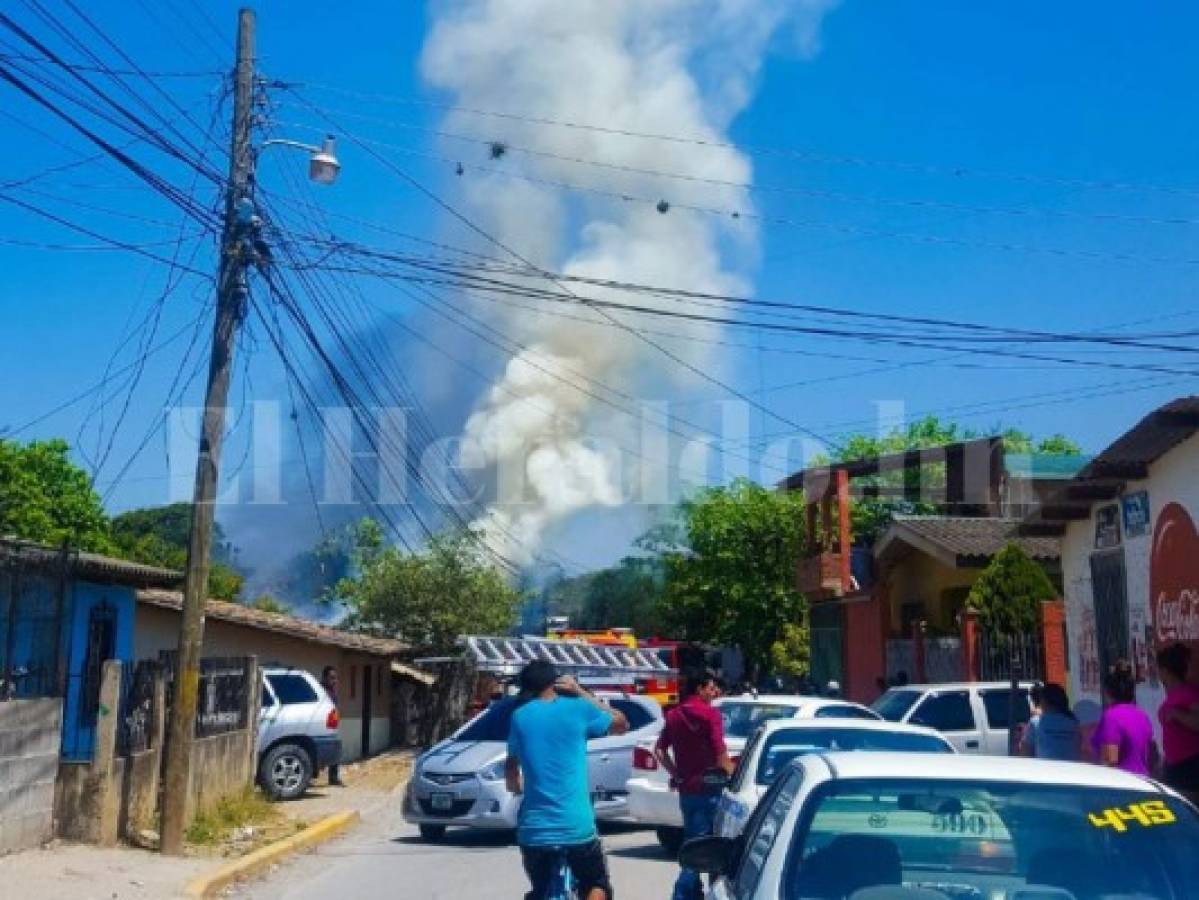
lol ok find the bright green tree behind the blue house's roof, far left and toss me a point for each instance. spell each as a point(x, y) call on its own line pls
point(46, 498)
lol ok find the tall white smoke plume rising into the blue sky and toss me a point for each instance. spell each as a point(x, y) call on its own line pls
point(679, 68)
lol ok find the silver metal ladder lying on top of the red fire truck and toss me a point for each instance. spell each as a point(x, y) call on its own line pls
point(591, 663)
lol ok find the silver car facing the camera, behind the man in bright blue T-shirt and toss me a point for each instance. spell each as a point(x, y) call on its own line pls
point(461, 781)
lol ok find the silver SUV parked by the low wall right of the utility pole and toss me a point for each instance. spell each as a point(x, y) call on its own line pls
point(298, 733)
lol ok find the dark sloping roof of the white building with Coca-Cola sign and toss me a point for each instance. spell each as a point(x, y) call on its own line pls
point(1128, 458)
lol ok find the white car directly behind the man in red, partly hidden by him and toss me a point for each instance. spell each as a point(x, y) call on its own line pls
point(650, 800)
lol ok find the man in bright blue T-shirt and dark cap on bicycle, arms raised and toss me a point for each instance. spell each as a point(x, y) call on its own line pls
point(549, 764)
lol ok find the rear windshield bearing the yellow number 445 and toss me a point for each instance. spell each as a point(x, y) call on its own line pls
point(996, 841)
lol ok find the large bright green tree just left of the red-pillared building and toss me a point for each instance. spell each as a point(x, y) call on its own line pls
point(731, 579)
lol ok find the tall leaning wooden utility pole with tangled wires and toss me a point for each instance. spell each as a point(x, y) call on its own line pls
point(231, 311)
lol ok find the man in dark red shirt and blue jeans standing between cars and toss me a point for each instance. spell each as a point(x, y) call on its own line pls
point(692, 744)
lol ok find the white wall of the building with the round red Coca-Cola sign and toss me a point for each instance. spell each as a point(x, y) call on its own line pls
point(1172, 479)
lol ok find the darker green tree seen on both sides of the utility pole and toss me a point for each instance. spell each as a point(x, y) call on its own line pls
point(159, 536)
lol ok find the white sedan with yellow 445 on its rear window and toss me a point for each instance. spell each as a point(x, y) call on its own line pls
point(879, 826)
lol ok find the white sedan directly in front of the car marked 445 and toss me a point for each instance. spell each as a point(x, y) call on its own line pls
point(779, 742)
